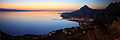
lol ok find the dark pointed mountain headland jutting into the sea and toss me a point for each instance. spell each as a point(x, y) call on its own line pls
point(84, 11)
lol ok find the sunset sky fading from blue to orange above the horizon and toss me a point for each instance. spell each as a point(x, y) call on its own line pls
point(52, 4)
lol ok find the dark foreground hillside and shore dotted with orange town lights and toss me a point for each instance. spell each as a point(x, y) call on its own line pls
point(102, 26)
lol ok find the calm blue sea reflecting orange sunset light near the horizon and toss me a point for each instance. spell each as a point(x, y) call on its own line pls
point(20, 23)
